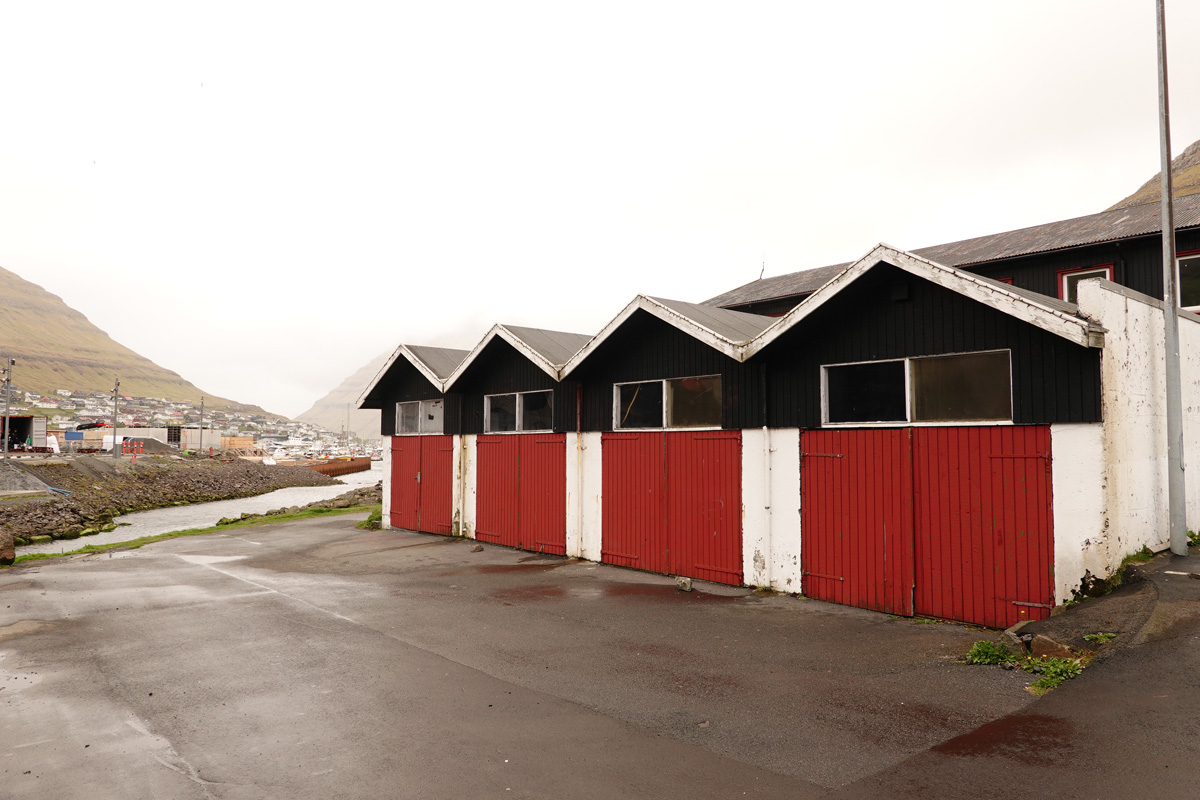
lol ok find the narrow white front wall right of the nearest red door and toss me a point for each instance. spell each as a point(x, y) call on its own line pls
point(1081, 506)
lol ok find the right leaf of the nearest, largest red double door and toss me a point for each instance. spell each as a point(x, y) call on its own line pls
point(985, 524)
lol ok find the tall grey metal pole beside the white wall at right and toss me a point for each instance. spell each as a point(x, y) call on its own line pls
point(1177, 486)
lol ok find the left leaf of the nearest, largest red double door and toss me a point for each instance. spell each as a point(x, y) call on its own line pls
point(856, 518)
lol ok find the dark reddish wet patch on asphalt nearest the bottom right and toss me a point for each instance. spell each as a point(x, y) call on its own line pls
point(1031, 738)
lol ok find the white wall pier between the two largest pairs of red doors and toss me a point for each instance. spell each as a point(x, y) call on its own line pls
point(771, 509)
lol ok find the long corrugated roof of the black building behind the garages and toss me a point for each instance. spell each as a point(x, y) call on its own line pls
point(1094, 230)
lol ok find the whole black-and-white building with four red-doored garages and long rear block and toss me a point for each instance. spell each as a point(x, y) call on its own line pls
point(971, 432)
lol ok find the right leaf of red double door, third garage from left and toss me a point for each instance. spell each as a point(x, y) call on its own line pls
point(704, 482)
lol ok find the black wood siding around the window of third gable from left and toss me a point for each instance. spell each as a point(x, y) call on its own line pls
point(646, 348)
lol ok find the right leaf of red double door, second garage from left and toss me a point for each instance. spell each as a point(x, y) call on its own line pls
point(542, 495)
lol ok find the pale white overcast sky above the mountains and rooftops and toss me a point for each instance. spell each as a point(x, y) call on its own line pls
point(291, 189)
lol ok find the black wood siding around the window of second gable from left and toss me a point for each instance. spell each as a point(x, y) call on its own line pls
point(502, 369)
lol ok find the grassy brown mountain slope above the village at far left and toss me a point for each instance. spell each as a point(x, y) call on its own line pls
point(57, 347)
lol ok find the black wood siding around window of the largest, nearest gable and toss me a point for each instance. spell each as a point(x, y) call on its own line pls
point(1054, 381)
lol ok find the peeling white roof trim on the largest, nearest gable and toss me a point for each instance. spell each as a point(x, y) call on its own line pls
point(997, 296)
